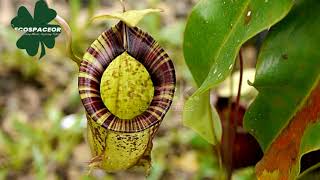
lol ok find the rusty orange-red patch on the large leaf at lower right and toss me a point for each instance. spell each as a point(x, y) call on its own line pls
point(283, 154)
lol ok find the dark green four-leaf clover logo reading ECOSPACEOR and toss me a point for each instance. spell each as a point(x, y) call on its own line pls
point(36, 30)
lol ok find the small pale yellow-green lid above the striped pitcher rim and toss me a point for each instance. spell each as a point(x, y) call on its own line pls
point(131, 18)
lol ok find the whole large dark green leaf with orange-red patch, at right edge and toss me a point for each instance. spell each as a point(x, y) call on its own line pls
point(287, 78)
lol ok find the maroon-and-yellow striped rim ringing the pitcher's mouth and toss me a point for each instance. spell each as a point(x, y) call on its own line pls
point(147, 51)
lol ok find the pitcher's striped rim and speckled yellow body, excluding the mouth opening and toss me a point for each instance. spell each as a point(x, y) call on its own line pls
point(102, 124)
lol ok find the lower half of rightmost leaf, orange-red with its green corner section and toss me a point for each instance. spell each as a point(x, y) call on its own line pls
point(299, 137)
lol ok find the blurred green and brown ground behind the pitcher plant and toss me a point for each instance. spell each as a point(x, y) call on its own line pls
point(42, 123)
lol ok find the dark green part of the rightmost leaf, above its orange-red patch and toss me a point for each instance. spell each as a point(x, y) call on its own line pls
point(287, 70)
